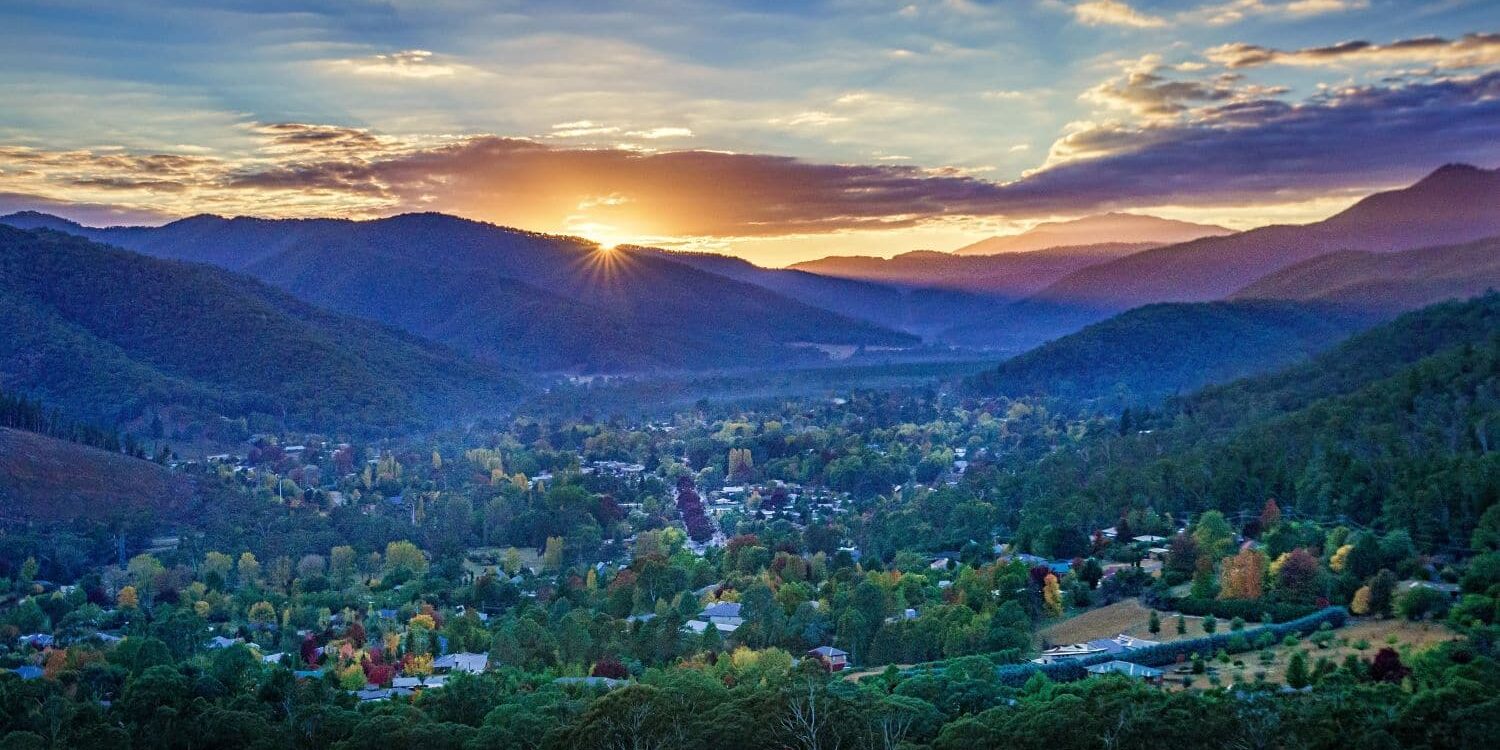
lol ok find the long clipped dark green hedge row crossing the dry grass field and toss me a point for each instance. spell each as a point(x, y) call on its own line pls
point(1163, 655)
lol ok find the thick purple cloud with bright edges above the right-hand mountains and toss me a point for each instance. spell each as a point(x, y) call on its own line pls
point(1348, 139)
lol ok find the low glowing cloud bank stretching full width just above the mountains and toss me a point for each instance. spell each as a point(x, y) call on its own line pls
point(1211, 142)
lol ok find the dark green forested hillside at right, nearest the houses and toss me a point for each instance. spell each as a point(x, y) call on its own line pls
point(1394, 428)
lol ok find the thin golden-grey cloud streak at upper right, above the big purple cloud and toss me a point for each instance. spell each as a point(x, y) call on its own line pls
point(1478, 50)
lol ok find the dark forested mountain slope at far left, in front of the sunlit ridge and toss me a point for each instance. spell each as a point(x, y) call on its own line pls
point(113, 337)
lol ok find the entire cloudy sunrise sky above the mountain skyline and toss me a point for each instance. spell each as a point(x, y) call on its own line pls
point(776, 131)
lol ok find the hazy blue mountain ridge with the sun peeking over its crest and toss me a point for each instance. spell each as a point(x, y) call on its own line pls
point(521, 299)
